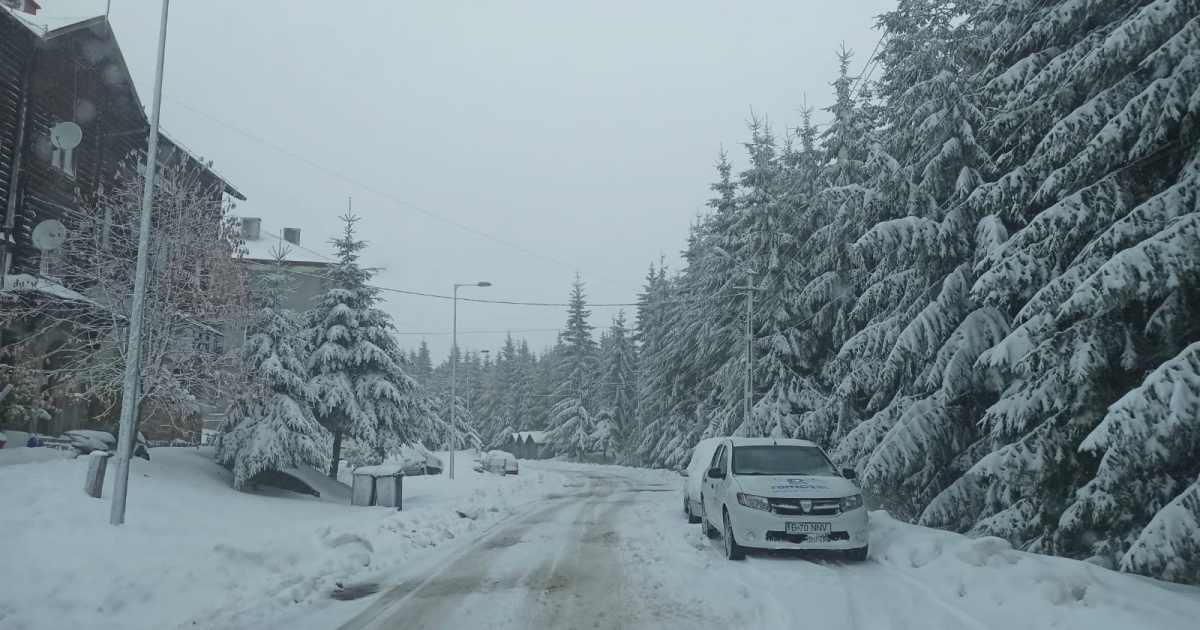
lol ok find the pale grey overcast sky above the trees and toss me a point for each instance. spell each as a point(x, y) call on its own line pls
point(585, 133)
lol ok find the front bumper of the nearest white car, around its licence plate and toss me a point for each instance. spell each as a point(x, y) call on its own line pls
point(767, 531)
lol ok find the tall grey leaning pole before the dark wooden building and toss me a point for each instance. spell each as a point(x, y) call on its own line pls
point(130, 392)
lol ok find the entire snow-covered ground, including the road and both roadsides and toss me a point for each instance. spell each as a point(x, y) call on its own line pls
point(571, 547)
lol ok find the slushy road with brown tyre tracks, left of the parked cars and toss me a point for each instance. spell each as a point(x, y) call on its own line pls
point(555, 568)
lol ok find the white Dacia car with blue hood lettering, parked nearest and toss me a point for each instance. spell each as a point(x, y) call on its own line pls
point(782, 495)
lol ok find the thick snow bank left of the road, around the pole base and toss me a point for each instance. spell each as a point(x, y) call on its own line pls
point(196, 554)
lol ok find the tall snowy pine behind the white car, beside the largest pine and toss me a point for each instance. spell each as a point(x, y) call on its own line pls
point(933, 121)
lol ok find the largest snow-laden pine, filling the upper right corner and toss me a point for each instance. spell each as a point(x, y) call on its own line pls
point(1100, 191)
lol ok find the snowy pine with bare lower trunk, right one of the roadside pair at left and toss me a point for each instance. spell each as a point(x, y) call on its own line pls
point(362, 391)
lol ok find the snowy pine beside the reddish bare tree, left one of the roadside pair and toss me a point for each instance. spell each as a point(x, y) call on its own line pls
point(271, 423)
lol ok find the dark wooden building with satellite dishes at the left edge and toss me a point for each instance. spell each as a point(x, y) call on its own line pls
point(65, 71)
